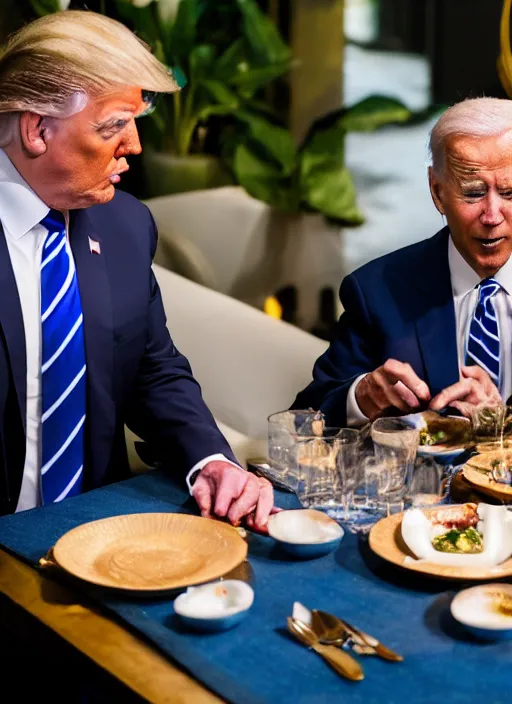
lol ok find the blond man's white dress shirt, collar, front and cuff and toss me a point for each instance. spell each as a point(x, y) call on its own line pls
point(21, 211)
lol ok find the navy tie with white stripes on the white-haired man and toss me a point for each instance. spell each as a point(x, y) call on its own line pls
point(484, 340)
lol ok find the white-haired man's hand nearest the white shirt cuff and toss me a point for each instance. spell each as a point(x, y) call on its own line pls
point(394, 385)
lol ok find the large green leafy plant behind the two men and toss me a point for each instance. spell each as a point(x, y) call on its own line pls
point(230, 51)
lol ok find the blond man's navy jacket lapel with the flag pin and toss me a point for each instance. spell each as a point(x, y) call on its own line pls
point(98, 335)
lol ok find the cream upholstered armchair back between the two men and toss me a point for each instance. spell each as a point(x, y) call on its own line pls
point(248, 364)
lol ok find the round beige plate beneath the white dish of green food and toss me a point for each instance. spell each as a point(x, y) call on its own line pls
point(387, 542)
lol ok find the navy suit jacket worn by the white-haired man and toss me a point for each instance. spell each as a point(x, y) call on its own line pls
point(399, 306)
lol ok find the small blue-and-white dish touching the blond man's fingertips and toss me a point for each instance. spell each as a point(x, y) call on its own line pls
point(305, 533)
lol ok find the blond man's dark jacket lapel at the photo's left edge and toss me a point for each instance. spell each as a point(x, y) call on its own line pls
point(11, 321)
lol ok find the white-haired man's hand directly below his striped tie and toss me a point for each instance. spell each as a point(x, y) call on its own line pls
point(474, 389)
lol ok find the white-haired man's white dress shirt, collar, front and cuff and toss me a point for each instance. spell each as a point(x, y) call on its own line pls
point(465, 296)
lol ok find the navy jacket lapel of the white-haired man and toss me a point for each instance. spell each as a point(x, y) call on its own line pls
point(435, 321)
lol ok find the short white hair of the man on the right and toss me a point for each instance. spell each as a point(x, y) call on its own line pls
point(475, 117)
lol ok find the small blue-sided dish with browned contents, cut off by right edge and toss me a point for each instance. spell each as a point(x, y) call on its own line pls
point(482, 610)
